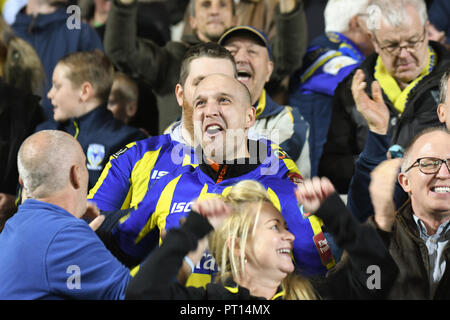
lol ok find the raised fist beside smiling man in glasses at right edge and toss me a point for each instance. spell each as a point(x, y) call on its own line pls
point(382, 186)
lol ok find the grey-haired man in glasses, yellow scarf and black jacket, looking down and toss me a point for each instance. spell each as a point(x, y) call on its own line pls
point(404, 74)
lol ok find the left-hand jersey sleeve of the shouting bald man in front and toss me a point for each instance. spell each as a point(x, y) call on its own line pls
point(137, 233)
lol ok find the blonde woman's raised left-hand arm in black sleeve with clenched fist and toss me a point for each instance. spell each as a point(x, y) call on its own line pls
point(155, 279)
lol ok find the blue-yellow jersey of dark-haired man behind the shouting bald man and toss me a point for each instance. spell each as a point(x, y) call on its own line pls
point(132, 171)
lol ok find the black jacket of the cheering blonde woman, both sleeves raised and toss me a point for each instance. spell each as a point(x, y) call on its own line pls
point(349, 281)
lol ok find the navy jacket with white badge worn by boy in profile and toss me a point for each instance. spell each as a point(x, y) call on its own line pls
point(100, 136)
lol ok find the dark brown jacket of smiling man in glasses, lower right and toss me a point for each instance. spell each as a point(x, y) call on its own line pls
point(411, 255)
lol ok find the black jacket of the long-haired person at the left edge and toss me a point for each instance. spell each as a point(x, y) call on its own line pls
point(19, 115)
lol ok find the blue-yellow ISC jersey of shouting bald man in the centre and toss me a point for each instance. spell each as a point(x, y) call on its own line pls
point(172, 196)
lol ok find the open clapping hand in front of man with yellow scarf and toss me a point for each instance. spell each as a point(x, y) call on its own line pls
point(375, 111)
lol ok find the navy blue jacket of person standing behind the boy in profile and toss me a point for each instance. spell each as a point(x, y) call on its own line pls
point(53, 37)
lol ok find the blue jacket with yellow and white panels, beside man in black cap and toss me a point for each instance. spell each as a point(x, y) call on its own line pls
point(329, 59)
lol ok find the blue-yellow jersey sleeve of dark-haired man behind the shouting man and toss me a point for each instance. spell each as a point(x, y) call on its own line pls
point(111, 190)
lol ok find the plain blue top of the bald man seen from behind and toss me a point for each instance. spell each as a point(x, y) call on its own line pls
point(47, 253)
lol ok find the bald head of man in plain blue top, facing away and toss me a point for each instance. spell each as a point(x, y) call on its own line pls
point(45, 160)
